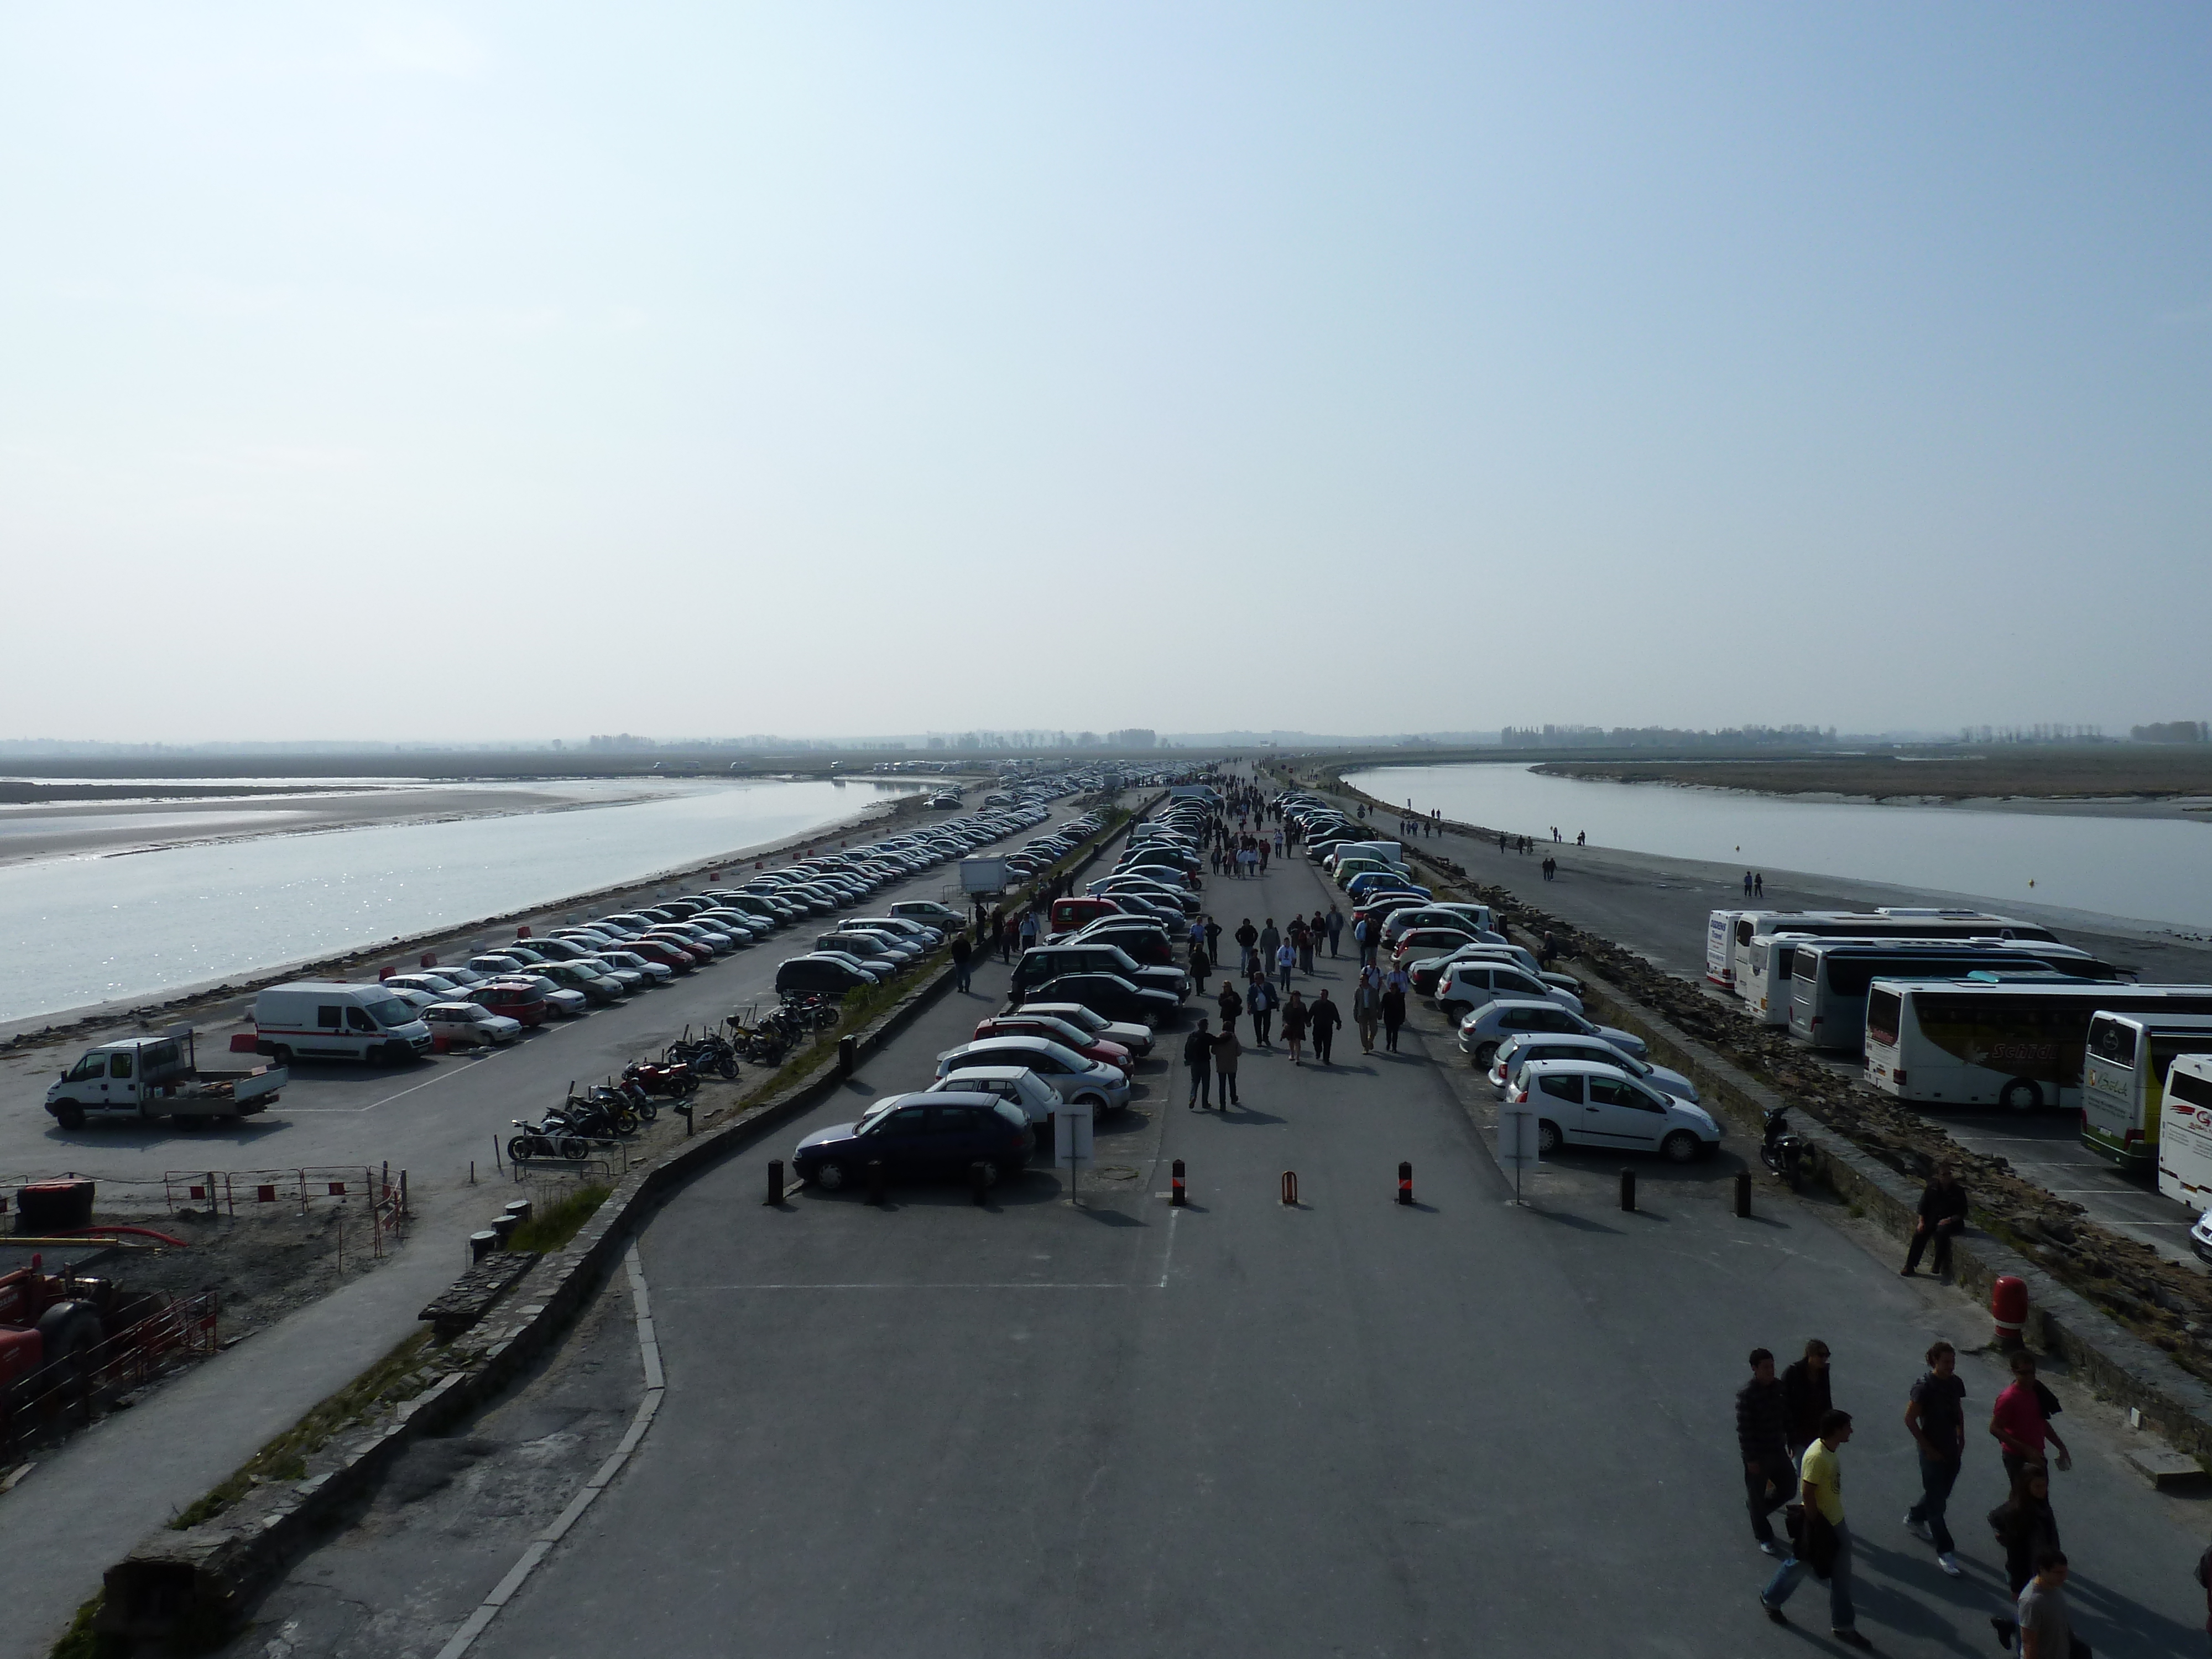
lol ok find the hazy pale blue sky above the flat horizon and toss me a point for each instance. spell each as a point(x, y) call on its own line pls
point(539, 371)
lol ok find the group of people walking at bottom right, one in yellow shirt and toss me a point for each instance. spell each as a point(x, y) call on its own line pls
point(1791, 1439)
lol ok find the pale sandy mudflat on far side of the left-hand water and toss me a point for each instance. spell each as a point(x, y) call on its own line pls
point(74, 828)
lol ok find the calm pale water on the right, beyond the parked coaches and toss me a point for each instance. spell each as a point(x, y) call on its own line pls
point(2156, 870)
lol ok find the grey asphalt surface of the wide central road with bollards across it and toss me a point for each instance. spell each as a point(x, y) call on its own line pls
point(1246, 1428)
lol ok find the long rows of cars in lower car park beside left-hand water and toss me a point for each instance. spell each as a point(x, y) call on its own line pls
point(497, 997)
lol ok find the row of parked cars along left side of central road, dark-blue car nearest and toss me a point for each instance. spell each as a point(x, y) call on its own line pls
point(1083, 1016)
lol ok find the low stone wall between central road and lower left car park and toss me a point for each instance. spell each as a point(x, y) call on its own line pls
point(209, 1574)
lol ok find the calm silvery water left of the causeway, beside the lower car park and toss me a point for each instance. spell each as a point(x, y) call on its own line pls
point(105, 928)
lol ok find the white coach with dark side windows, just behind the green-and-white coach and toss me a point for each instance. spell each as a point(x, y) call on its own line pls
point(1979, 1041)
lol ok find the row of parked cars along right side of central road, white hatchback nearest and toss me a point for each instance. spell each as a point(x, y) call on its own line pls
point(1519, 1023)
